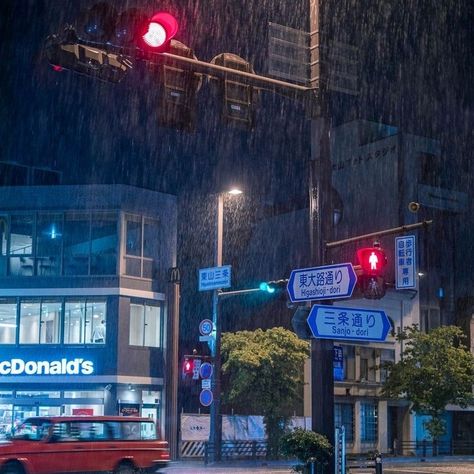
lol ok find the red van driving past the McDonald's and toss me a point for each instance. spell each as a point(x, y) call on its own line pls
point(117, 444)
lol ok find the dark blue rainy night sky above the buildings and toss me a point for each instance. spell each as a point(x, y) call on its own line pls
point(416, 72)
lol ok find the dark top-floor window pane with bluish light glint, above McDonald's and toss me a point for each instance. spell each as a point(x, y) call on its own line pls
point(49, 232)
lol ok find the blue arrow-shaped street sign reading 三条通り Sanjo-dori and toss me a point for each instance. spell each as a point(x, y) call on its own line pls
point(353, 324)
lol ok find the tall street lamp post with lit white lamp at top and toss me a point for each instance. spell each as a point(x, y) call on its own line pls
point(215, 434)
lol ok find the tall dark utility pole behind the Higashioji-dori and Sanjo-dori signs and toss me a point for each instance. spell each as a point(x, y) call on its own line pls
point(320, 222)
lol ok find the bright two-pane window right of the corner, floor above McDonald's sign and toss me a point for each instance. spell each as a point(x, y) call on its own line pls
point(145, 325)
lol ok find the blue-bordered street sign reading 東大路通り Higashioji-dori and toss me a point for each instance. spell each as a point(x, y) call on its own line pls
point(319, 283)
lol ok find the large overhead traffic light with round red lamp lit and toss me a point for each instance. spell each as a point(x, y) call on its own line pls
point(103, 42)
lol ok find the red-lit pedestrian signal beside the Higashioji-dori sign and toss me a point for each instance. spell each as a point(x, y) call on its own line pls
point(373, 262)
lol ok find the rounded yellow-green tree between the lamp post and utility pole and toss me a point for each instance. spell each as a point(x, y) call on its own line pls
point(265, 372)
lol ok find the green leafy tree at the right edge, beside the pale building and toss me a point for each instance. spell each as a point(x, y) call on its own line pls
point(436, 369)
